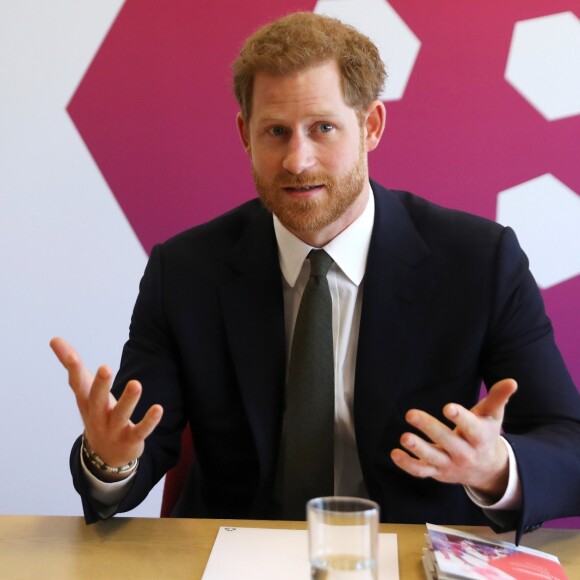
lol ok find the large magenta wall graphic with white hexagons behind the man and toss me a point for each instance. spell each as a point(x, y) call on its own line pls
point(156, 111)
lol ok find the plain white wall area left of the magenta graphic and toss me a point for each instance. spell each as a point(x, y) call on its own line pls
point(70, 263)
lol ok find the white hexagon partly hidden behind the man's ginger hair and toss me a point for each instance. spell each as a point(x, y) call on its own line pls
point(397, 44)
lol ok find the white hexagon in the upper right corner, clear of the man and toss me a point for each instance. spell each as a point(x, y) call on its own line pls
point(544, 64)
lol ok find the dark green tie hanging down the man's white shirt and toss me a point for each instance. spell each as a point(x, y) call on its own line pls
point(306, 465)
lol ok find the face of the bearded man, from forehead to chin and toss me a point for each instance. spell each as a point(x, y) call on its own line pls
point(308, 152)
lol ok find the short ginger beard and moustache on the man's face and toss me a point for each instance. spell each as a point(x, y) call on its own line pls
point(310, 215)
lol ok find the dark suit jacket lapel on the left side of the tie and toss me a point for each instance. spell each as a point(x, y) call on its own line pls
point(253, 310)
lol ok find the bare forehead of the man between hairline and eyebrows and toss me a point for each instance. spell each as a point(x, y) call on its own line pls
point(315, 89)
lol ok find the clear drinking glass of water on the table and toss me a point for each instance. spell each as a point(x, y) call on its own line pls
point(343, 535)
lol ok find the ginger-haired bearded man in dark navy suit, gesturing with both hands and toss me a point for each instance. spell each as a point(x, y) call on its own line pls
point(426, 303)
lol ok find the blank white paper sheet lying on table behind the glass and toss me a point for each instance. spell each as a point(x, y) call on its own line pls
point(263, 554)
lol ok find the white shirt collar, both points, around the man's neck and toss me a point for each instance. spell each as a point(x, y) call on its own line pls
point(349, 249)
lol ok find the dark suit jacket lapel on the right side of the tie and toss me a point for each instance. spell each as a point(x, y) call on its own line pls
point(397, 286)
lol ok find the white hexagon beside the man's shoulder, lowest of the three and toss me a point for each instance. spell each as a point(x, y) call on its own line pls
point(545, 215)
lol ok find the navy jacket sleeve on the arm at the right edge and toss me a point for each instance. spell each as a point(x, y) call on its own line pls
point(542, 420)
